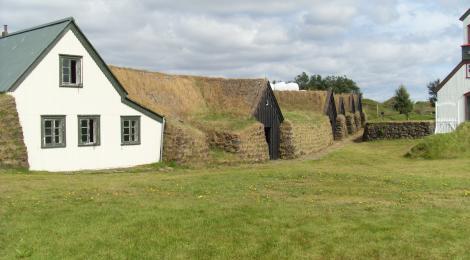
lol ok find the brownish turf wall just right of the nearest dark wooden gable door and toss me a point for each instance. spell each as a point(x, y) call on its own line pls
point(302, 138)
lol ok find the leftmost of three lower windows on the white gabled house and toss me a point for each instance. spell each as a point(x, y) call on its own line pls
point(52, 131)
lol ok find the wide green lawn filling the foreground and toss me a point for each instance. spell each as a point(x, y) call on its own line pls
point(363, 201)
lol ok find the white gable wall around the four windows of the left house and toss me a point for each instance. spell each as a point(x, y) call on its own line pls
point(40, 94)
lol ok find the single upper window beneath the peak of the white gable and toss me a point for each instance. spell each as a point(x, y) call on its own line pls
point(70, 71)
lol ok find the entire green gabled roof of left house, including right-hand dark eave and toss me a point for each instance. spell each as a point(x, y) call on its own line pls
point(21, 51)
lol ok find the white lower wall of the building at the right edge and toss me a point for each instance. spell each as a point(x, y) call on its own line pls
point(450, 106)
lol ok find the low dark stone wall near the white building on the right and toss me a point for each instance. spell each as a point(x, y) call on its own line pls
point(397, 130)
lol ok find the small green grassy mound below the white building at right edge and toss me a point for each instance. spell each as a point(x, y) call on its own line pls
point(444, 146)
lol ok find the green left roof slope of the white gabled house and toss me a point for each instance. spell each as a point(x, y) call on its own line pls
point(19, 50)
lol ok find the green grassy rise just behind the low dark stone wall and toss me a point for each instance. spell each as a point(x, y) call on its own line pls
point(422, 111)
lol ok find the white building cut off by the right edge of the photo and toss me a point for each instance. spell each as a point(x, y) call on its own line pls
point(453, 96)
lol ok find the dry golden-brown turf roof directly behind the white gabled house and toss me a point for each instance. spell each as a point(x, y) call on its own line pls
point(192, 98)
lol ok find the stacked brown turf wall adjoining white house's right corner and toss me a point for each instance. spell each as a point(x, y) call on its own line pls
point(183, 144)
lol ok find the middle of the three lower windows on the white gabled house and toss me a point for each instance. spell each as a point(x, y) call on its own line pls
point(88, 130)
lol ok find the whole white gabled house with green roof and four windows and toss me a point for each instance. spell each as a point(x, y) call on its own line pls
point(73, 112)
